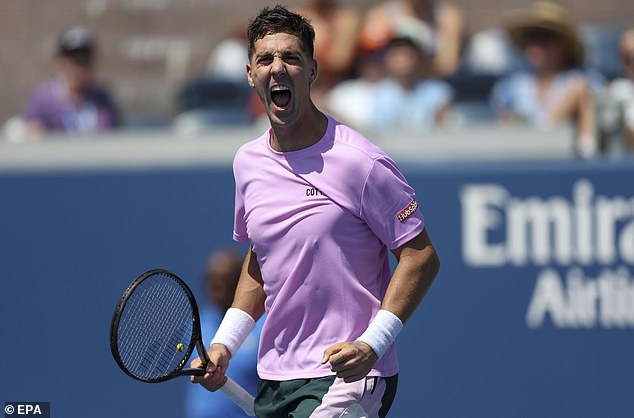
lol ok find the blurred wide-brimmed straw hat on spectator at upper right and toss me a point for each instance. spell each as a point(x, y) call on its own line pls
point(545, 16)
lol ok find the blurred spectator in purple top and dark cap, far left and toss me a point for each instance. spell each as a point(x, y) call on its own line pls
point(71, 102)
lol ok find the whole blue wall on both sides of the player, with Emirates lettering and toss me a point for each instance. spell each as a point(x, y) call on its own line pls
point(71, 242)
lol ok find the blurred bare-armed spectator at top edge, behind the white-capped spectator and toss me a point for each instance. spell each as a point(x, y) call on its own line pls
point(438, 26)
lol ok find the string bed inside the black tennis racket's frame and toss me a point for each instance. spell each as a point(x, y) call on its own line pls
point(156, 319)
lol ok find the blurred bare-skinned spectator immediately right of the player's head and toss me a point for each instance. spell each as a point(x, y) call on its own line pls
point(336, 30)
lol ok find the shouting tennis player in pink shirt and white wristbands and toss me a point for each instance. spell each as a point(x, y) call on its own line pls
point(321, 205)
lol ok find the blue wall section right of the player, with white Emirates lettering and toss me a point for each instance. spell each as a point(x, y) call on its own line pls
point(532, 314)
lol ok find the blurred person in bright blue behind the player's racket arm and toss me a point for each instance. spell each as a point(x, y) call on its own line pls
point(221, 278)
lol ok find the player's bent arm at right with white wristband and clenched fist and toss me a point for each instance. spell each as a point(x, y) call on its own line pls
point(417, 267)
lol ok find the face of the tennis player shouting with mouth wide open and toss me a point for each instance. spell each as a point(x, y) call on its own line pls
point(281, 73)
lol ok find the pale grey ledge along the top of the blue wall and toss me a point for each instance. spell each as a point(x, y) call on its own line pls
point(165, 148)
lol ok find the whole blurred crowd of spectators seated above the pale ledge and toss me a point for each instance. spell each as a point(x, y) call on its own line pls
point(400, 65)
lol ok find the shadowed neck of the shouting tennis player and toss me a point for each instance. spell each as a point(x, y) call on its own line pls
point(301, 134)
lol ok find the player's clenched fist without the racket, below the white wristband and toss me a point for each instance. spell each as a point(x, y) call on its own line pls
point(351, 361)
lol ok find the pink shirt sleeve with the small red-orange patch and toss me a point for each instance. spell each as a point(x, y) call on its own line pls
point(389, 205)
